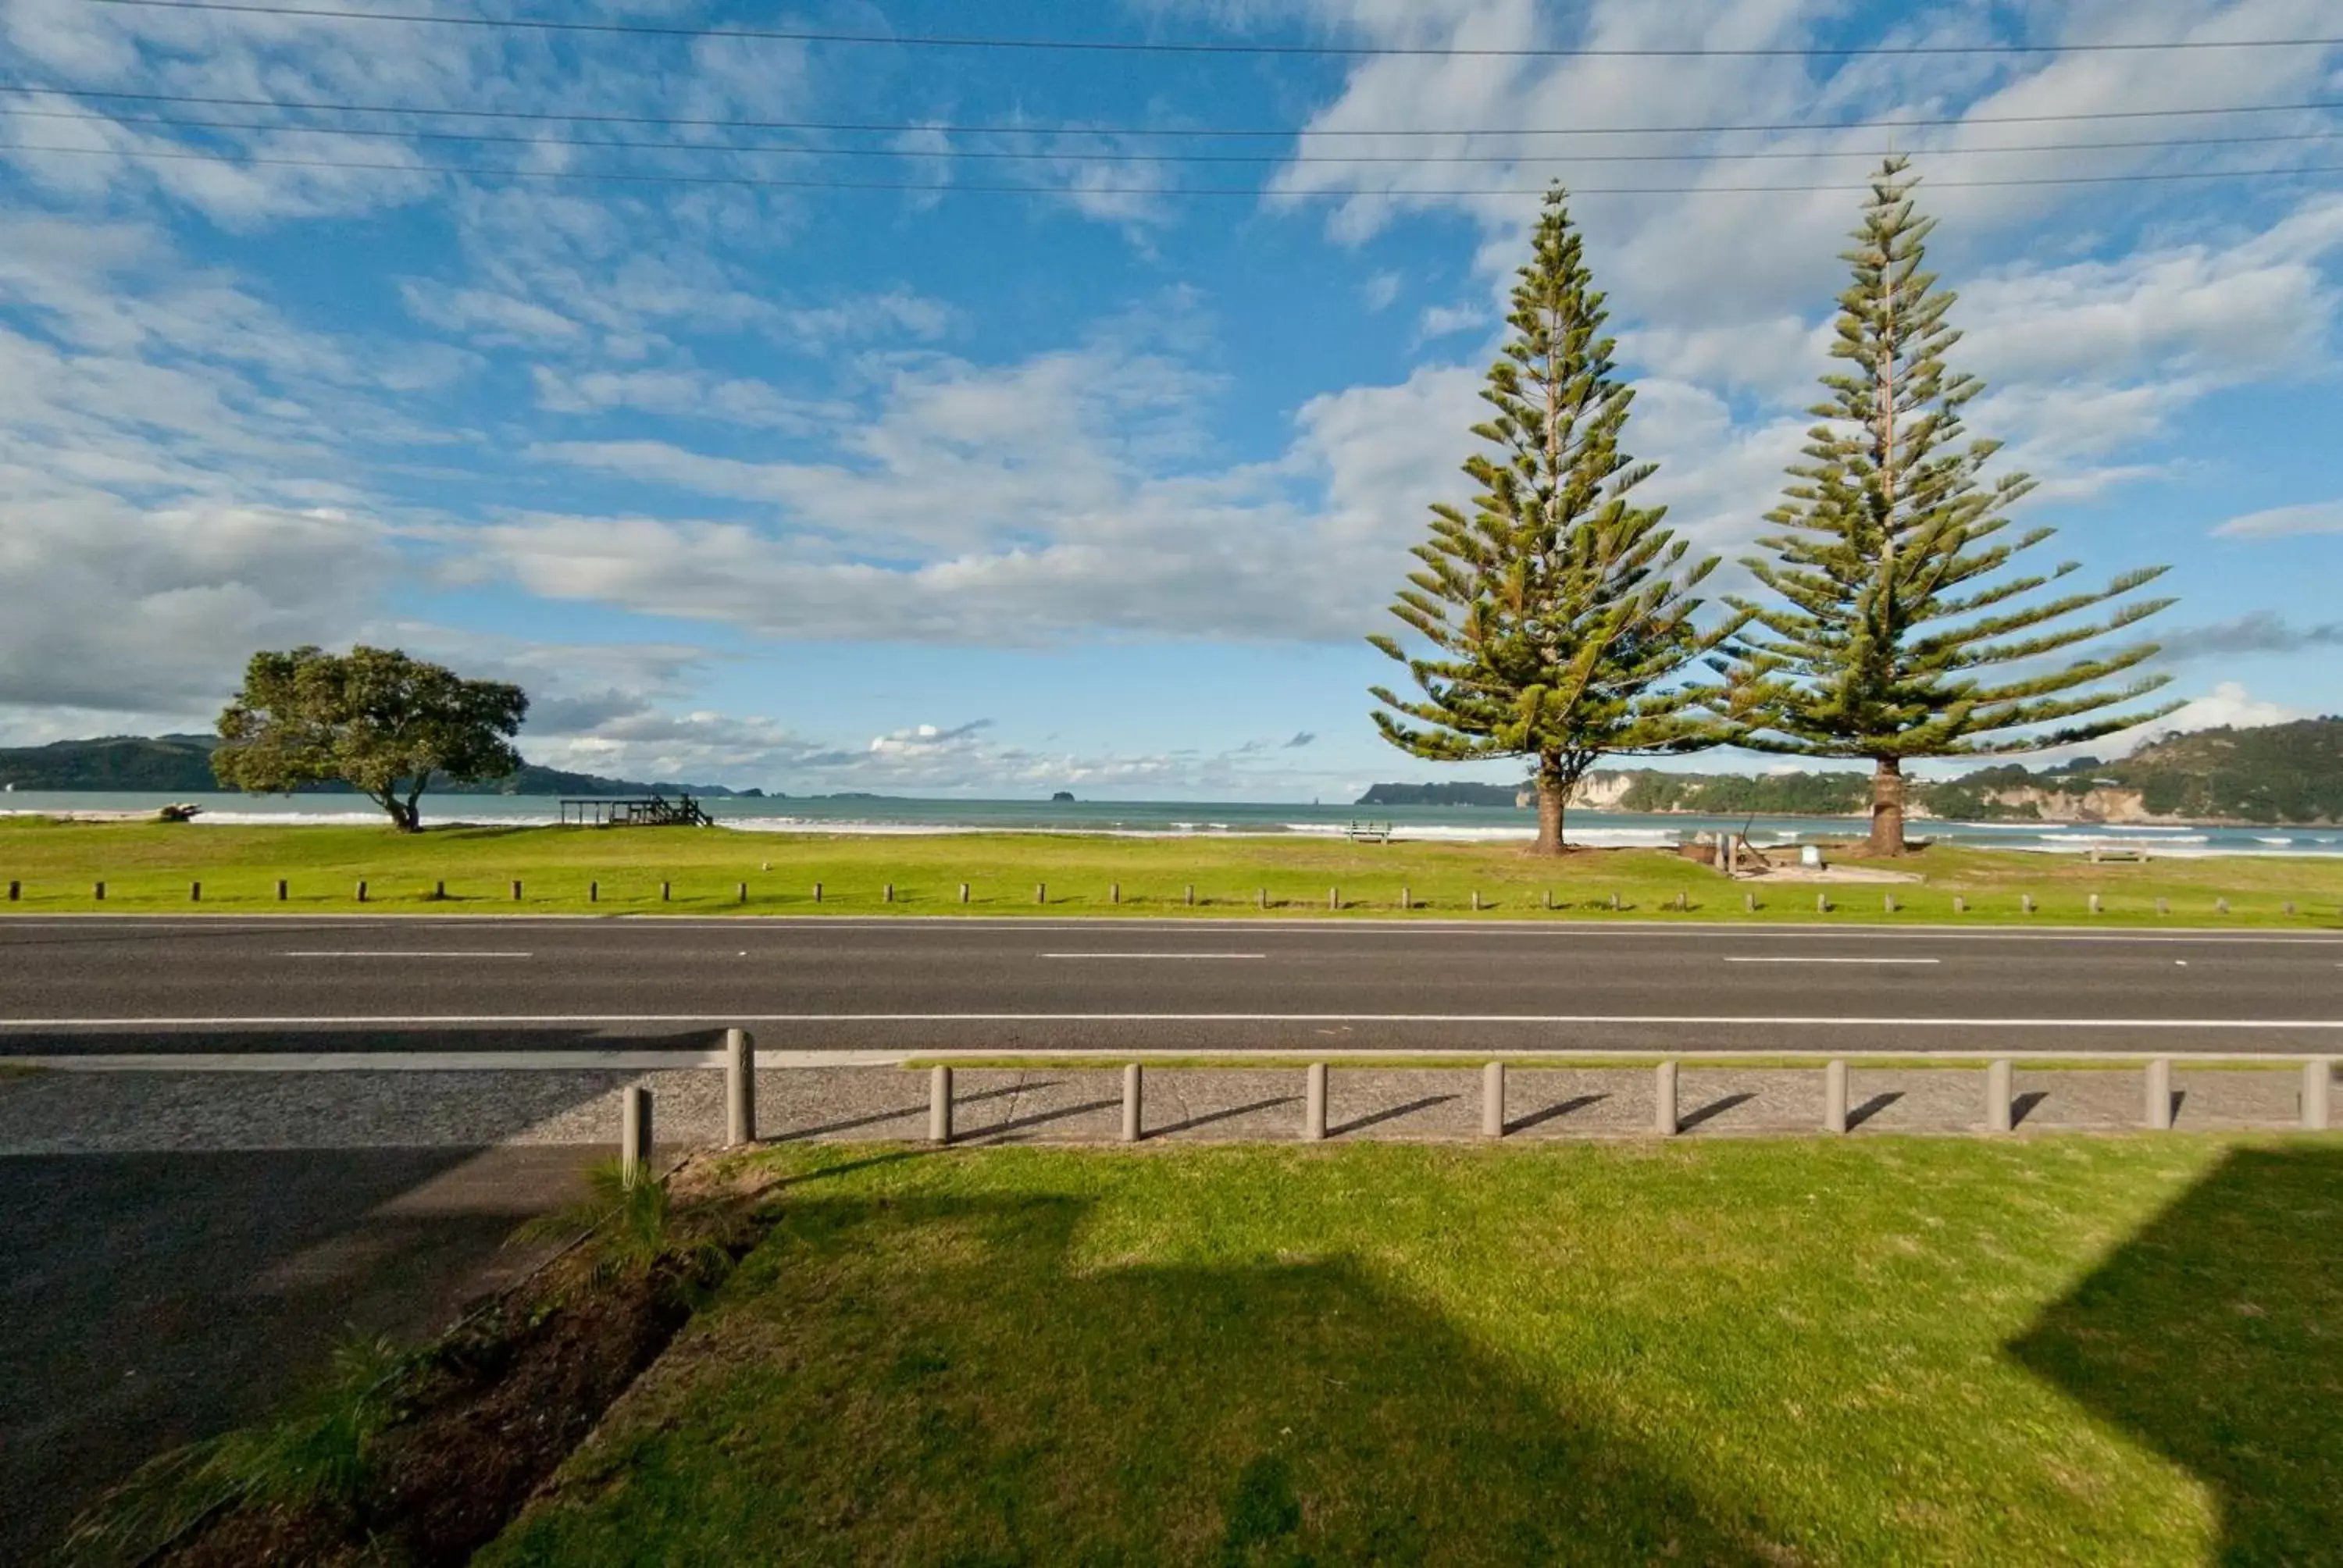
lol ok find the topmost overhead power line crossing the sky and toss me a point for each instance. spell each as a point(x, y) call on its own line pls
point(1133, 46)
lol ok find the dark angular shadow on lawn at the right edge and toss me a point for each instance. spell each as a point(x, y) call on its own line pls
point(2213, 1339)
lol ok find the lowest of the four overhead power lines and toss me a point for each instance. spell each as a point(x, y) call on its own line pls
point(1149, 191)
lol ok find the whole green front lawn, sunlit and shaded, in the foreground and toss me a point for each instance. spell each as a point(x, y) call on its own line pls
point(2063, 1351)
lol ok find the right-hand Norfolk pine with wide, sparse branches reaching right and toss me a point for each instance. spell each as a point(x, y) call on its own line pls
point(1894, 629)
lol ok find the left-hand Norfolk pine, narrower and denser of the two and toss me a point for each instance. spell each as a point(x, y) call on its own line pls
point(1559, 613)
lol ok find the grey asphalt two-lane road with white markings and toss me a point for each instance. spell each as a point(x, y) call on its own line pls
point(503, 986)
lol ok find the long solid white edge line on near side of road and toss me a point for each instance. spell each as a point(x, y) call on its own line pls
point(1714, 1021)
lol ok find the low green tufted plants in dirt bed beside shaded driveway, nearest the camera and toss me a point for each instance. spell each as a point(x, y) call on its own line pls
point(313, 1454)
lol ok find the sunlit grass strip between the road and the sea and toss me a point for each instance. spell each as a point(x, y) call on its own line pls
point(580, 871)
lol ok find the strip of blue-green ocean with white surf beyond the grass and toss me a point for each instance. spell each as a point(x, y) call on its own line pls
point(1175, 819)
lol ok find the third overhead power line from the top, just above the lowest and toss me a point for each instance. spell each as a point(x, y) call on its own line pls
point(1156, 158)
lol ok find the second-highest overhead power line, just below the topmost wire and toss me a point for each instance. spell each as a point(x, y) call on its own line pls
point(1140, 130)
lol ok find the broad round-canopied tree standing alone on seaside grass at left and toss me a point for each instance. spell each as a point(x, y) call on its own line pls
point(371, 718)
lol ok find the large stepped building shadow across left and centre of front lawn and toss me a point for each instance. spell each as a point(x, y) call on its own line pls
point(936, 1382)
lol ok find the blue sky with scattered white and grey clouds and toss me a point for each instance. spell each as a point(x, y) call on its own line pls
point(1095, 482)
